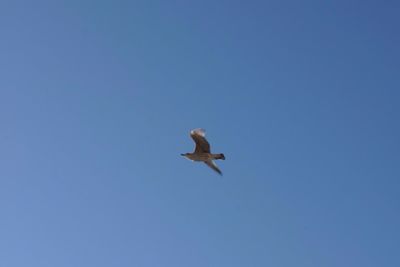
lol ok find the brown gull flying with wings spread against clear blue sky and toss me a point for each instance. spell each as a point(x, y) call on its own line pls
point(202, 151)
